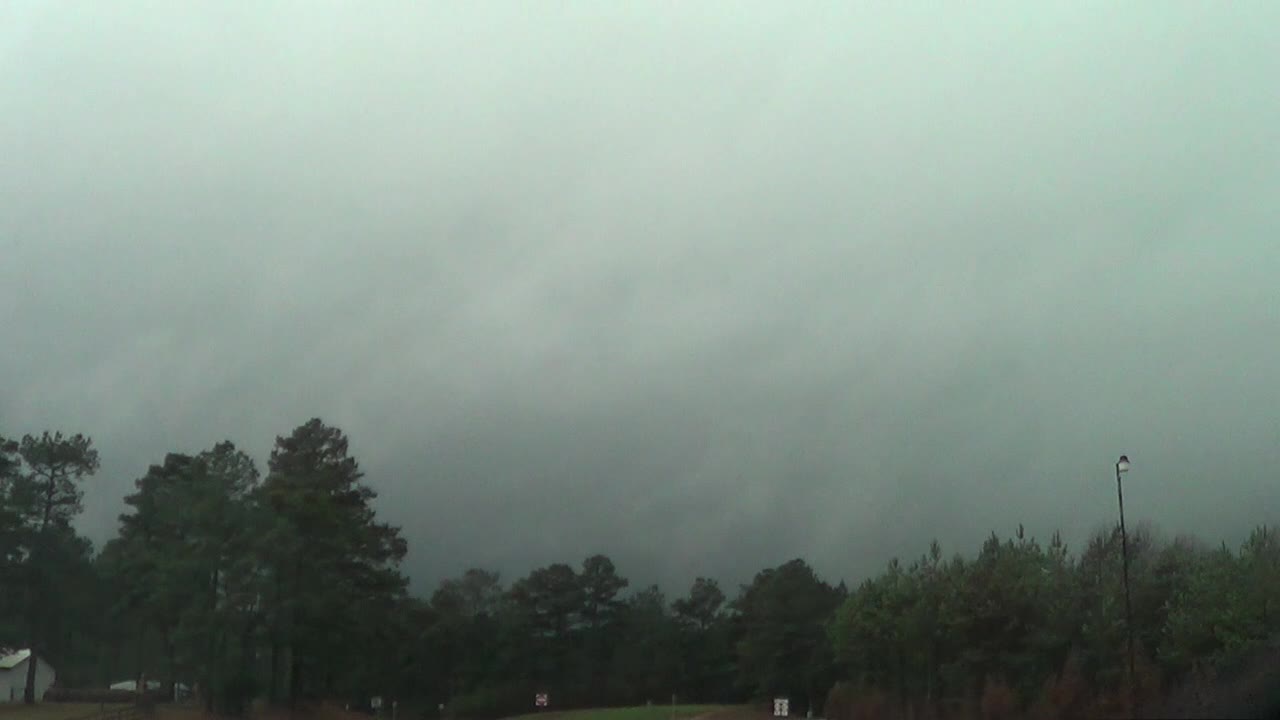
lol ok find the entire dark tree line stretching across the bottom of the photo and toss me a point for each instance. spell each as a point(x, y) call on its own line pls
point(285, 586)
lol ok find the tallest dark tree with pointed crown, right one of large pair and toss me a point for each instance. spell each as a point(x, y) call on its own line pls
point(332, 567)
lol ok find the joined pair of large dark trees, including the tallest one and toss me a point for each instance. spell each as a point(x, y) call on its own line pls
point(244, 587)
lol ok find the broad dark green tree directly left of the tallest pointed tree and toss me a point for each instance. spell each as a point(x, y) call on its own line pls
point(184, 572)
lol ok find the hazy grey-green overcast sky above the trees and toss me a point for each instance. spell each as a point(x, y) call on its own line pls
point(702, 286)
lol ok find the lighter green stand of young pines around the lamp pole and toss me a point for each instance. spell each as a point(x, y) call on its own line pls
point(1036, 625)
